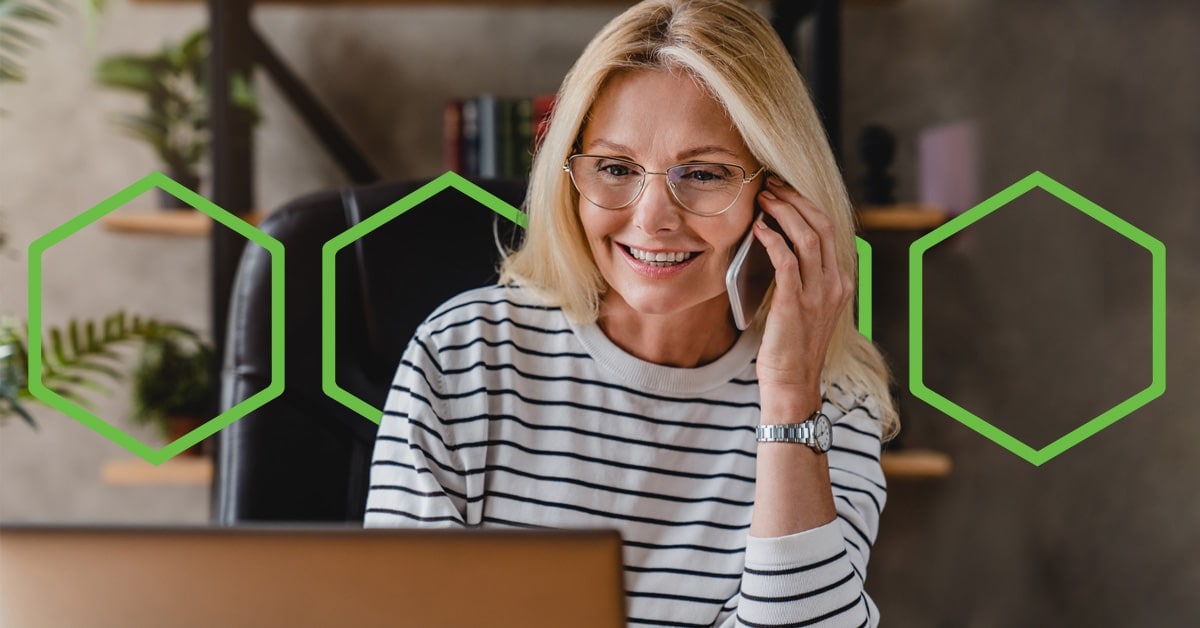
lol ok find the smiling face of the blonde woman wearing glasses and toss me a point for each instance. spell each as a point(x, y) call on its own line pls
point(659, 121)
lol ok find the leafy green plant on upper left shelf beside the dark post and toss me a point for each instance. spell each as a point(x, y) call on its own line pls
point(176, 119)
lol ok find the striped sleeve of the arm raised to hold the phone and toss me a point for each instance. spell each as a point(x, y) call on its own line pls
point(817, 577)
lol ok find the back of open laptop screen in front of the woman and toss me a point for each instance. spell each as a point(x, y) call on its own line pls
point(304, 577)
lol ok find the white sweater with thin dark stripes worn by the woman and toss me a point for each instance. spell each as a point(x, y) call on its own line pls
point(506, 415)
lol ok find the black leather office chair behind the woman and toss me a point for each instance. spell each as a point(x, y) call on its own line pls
point(304, 457)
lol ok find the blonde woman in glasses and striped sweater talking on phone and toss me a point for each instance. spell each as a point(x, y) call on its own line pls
point(605, 385)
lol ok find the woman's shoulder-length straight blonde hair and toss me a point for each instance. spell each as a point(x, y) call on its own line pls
point(736, 56)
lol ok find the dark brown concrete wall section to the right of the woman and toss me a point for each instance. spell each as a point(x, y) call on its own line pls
point(1037, 319)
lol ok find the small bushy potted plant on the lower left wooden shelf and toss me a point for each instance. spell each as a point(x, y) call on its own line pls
point(175, 388)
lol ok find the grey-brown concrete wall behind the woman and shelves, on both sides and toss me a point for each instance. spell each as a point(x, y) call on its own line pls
point(1036, 319)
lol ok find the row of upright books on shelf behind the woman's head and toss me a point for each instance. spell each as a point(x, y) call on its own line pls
point(495, 137)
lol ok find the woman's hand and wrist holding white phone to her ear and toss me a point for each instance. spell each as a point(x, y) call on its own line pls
point(811, 294)
